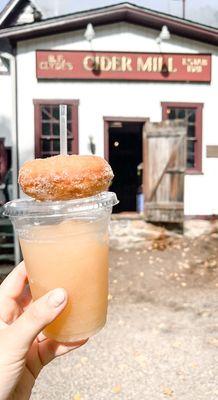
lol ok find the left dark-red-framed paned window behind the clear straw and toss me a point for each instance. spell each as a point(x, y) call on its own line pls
point(47, 127)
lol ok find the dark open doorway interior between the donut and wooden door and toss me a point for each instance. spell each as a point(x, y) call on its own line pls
point(125, 156)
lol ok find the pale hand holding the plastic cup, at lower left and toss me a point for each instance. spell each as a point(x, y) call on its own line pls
point(24, 350)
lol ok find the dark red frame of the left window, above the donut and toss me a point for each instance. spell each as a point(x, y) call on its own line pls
point(37, 121)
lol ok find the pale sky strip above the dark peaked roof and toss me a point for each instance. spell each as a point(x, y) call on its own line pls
point(204, 11)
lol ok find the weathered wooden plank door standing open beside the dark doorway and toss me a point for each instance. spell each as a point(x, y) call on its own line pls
point(164, 168)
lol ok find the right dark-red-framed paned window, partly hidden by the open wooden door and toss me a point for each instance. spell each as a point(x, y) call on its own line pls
point(191, 113)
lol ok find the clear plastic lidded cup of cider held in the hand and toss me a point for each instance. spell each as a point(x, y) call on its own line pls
point(65, 244)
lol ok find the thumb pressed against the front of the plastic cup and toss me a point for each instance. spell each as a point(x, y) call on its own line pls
point(38, 315)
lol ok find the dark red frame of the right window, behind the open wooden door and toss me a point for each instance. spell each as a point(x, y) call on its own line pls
point(199, 122)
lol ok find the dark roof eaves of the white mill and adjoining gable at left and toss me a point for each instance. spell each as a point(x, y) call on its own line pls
point(123, 12)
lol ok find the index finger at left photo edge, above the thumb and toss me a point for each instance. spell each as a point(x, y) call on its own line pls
point(15, 282)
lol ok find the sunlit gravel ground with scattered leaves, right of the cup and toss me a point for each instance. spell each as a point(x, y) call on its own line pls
point(161, 339)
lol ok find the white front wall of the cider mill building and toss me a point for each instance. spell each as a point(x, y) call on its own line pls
point(131, 99)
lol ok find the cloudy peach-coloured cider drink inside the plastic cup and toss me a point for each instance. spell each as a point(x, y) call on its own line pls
point(73, 255)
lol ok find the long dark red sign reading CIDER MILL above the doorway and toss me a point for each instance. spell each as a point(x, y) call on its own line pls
point(91, 65)
